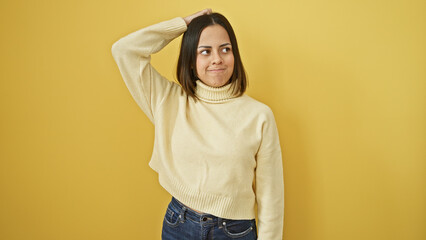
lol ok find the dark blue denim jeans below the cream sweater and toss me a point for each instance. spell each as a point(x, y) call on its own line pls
point(182, 223)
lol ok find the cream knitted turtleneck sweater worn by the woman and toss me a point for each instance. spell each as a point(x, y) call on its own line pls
point(220, 154)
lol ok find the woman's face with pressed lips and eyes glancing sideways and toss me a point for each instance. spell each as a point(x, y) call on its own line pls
point(215, 60)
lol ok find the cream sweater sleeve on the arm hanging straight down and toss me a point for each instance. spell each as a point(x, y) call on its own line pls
point(270, 183)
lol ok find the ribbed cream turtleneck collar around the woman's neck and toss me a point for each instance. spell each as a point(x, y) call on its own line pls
point(214, 94)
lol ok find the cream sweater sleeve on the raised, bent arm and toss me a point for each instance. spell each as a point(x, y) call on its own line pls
point(132, 53)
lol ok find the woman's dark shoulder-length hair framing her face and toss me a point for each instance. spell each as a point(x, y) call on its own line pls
point(186, 67)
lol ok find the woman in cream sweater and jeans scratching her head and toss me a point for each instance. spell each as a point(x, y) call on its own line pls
point(216, 150)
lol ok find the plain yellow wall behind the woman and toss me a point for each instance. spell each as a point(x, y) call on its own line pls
point(345, 79)
